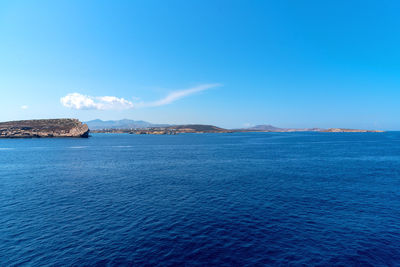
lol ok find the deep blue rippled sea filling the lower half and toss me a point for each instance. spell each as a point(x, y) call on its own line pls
point(201, 199)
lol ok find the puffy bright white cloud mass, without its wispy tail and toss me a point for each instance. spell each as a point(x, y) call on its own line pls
point(79, 101)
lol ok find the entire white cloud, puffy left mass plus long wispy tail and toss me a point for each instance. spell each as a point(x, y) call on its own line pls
point(79, 101)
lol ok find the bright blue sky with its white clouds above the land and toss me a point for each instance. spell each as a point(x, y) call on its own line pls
point(229, 63)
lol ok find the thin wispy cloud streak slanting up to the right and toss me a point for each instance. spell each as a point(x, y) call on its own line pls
point(176, 95)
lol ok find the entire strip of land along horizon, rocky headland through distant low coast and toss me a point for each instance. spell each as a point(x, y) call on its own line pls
point(75, 128)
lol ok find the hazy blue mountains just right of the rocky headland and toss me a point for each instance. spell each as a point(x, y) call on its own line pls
point(121, 124)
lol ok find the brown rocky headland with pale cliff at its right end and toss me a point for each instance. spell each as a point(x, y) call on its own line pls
point(43, 128)
